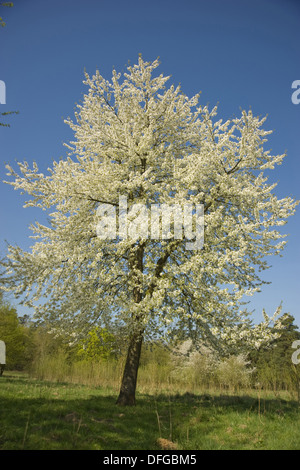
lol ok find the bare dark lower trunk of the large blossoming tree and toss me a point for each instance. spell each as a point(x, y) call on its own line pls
point(128, 385)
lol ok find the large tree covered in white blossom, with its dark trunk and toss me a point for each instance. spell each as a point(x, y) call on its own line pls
point(136, 138)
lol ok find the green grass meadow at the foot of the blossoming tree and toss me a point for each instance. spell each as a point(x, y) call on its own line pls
point(40, 415)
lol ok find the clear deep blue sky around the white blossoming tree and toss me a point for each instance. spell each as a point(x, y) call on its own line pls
point(238, 53)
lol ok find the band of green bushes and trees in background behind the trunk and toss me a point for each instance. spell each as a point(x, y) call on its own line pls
point(29, 343)
